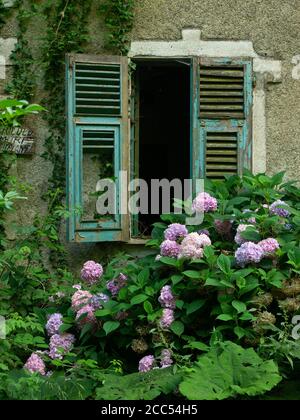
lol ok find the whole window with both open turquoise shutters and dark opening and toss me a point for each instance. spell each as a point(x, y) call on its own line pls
point(189, 118)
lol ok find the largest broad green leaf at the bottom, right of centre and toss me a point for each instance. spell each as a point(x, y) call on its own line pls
point(228, 371)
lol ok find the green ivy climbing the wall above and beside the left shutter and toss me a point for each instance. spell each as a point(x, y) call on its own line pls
point(67, 31)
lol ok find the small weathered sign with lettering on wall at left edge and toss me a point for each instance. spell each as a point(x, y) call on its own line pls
point(16, 140)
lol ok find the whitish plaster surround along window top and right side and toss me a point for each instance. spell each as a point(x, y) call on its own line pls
point(265, 70)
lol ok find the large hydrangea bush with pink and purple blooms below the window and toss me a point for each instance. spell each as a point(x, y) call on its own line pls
point(232, 282)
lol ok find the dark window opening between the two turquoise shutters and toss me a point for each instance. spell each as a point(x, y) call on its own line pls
point(163, 127)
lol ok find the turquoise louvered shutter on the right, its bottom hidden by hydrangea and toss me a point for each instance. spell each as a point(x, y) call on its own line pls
point(222, 117)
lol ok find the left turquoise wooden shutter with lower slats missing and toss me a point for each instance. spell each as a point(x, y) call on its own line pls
point(97, 145)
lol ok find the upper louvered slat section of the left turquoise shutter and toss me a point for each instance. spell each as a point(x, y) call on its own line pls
point(97, 89)
